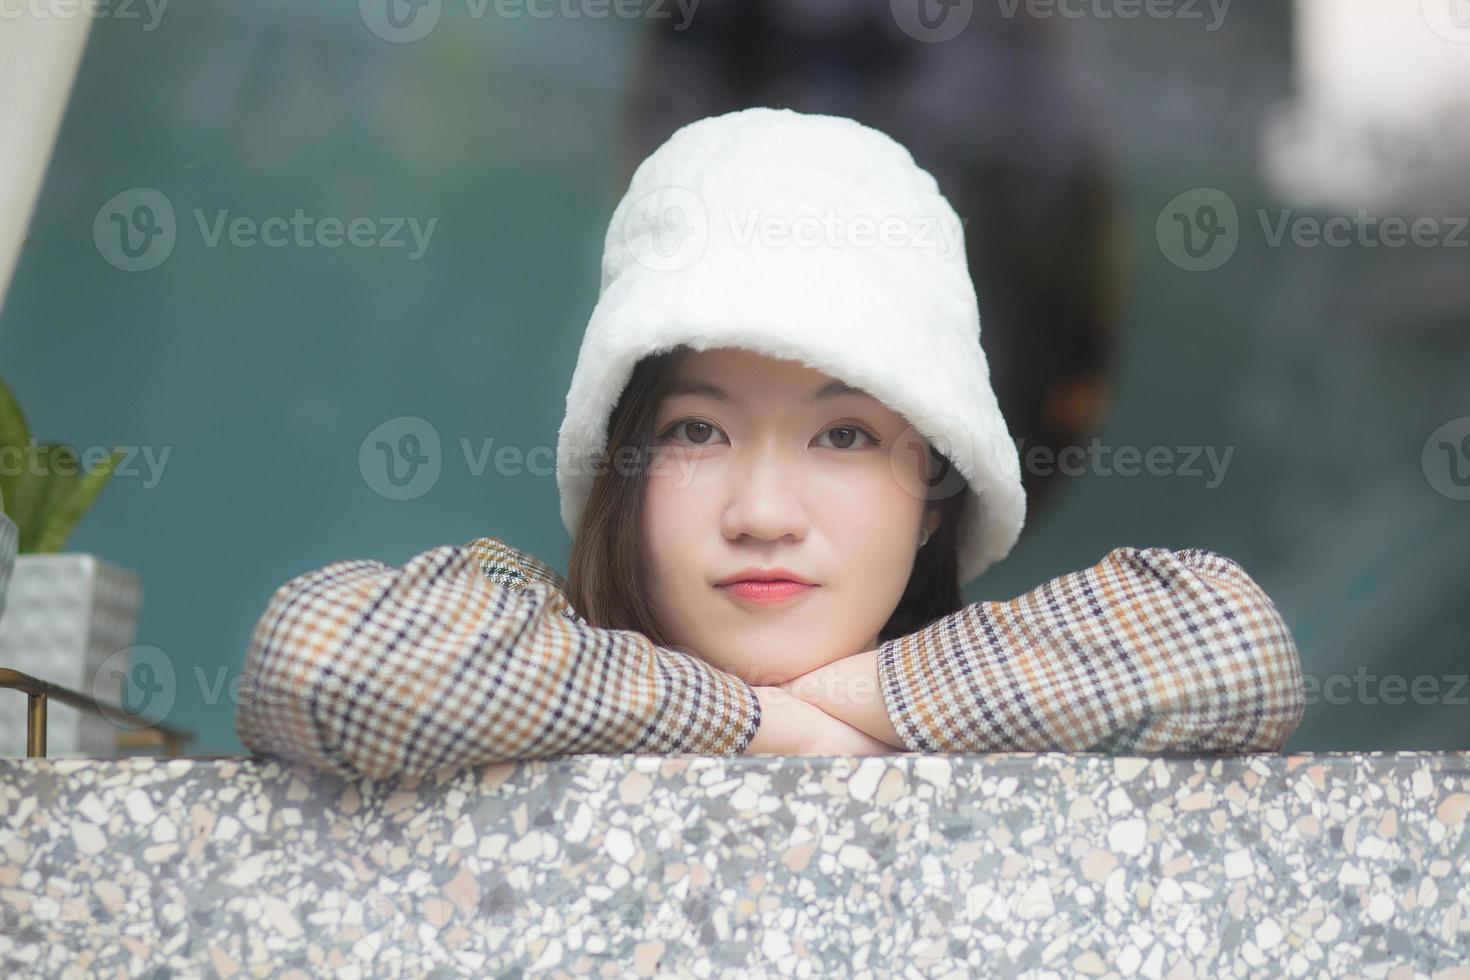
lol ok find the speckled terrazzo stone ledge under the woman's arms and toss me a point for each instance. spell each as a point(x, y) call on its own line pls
point(1036, 865)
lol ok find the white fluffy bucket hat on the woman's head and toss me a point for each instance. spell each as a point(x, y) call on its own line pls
point(812, 239)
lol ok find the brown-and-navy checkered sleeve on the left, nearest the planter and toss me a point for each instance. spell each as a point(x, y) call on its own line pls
point(467, 656)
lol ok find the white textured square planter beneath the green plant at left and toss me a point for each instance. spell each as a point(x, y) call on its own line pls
point(65, 615)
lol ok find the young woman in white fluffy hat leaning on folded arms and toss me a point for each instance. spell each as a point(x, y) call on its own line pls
point(780, 464)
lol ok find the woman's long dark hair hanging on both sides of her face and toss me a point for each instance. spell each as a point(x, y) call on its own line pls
point(606, 572)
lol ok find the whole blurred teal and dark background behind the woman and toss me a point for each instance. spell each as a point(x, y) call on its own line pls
point(1181, 223)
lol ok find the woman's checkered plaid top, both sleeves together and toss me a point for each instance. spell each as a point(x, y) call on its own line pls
point(474, 655)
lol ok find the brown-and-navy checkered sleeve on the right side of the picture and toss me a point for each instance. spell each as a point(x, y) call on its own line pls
point(1152, 650)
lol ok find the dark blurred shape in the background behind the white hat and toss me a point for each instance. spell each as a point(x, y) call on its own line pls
point(999, 120)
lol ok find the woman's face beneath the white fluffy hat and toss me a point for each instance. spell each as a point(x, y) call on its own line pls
point(765, 464)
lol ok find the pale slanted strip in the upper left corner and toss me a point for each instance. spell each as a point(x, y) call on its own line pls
point(40, 49)
